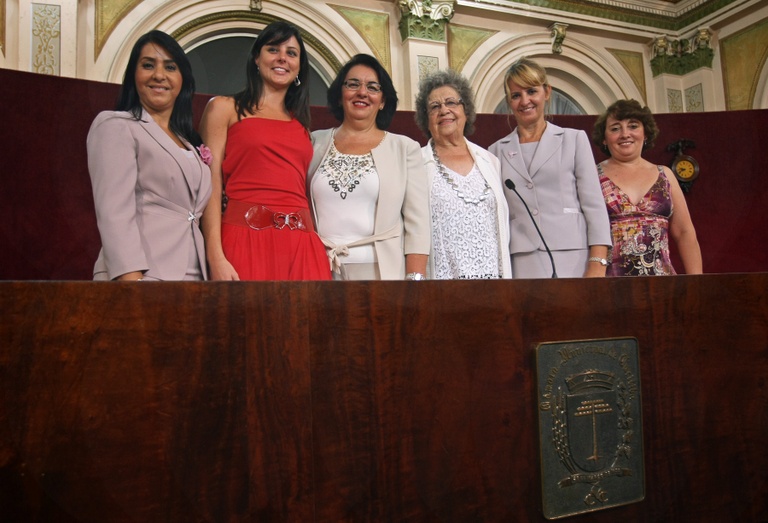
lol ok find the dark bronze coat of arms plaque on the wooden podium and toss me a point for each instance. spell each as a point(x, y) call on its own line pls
point(590, 425)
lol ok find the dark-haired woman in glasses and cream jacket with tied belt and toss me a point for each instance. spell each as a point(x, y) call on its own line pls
point(368, 188)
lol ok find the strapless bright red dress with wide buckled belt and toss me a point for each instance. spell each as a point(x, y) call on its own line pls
point(265, 164)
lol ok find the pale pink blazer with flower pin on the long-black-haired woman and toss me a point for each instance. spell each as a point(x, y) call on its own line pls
point(149, 197)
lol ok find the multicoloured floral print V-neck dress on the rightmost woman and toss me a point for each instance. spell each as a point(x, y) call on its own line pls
point(640, 231)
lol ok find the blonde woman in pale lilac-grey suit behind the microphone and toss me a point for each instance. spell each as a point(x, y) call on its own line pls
point(553, 171)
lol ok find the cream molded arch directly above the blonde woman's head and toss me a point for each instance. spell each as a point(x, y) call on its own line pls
point(593, 78)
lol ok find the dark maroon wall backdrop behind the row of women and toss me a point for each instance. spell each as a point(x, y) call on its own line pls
point(48, 228)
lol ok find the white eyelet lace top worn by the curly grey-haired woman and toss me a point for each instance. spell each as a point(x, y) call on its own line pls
point(464, 235)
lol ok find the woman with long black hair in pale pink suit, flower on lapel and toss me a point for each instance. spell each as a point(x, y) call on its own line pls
point(149, 171)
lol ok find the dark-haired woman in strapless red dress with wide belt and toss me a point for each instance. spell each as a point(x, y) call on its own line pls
point(257, 225)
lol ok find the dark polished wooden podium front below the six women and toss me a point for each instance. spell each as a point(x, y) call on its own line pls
point(373, 401)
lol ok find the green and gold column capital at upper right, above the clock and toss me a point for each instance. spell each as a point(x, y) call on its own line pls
point(680, 57)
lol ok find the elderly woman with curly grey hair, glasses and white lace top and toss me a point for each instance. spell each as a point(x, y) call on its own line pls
point(469, 215)
